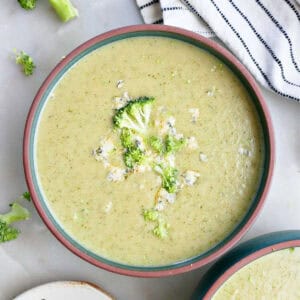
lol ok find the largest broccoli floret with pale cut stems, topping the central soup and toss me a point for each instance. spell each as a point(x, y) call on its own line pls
point(135, 115)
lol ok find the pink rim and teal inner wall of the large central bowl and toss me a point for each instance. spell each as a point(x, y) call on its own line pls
point(136, 31)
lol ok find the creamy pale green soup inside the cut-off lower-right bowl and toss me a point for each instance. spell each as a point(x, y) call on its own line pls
point(274, 276)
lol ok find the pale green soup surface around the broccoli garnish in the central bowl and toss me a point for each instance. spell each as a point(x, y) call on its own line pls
point(199, 102)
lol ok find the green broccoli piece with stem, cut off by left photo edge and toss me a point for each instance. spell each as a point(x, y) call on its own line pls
point(17, 213)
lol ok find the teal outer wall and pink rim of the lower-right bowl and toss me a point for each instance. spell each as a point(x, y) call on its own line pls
point(242, 255)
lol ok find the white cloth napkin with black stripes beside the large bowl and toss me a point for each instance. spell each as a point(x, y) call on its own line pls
point(263, 34)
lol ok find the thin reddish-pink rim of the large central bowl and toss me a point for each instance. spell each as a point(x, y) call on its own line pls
point(144, 28)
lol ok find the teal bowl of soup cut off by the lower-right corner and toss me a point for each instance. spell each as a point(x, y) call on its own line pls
point(266, 267)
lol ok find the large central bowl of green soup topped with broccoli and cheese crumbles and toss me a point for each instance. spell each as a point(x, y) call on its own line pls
point(148, 151)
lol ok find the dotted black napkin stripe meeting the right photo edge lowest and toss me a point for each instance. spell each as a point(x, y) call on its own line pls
point(250, 54)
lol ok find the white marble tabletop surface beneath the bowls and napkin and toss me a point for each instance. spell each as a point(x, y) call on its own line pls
point(37, 257)
